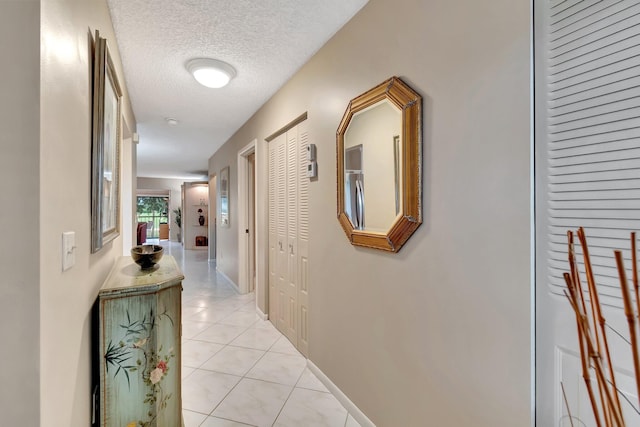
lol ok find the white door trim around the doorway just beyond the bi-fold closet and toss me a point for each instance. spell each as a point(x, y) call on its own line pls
point(243, 216)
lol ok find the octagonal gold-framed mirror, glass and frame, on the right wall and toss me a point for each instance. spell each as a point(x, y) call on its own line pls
point(379, 154)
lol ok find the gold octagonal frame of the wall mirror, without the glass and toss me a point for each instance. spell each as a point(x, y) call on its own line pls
point(410, 104)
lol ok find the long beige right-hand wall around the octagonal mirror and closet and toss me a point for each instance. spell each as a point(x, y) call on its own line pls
point(439, 333)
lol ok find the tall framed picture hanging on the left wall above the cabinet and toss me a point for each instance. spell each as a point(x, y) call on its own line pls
point(105, 148)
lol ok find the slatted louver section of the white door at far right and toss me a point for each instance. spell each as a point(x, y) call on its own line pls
point(593, 134)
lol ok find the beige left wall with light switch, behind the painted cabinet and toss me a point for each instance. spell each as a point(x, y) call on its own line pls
point(65, 155)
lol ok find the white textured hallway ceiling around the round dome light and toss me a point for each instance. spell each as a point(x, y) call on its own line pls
point(266, 41)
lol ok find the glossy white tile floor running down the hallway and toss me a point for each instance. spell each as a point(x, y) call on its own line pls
point(238, 370)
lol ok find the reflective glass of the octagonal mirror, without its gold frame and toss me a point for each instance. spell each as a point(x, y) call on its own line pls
point(372, 167)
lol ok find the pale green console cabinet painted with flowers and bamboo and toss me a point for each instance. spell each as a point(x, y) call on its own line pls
point(137, 328)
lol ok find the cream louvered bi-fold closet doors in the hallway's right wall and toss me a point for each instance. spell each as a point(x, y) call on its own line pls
point(289, 235)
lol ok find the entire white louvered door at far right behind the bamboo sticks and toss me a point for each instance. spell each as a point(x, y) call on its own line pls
point(587, 97)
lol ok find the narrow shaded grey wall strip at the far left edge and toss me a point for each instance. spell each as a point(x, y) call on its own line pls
point(19, 213)
